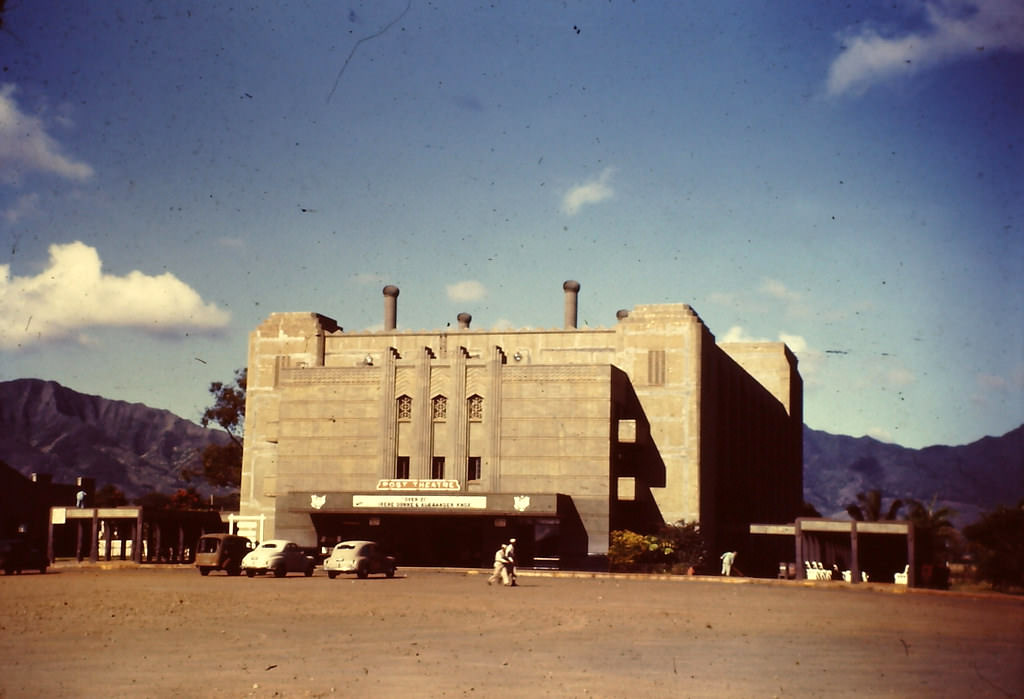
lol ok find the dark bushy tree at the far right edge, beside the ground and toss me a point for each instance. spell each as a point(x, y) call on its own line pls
point(998, 544)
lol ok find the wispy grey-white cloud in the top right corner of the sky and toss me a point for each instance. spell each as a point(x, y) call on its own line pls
point(956, 30)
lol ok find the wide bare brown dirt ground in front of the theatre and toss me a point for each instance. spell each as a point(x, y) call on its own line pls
point(156, 632)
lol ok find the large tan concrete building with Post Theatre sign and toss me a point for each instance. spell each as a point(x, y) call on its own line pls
point(442, 444)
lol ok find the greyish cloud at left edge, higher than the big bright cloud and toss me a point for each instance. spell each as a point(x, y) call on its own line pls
point(26, 147)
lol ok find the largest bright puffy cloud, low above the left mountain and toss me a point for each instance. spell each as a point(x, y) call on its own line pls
point(73, 294)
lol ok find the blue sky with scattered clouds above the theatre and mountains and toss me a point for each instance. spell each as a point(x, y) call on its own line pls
point(848, 178)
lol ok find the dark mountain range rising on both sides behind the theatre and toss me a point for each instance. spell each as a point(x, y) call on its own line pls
point(48, 428)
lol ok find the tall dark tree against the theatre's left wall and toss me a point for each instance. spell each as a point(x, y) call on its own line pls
point(223, 463)
